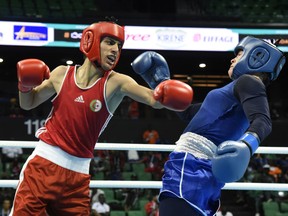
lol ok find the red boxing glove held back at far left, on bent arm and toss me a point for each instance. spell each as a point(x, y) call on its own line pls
point(31, 73)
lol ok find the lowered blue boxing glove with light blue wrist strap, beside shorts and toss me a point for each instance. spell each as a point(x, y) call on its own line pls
point(232, 157)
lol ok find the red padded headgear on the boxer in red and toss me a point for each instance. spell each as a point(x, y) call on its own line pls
point(92, 36)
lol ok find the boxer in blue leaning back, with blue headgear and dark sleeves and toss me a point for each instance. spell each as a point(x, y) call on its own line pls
point(223, 131)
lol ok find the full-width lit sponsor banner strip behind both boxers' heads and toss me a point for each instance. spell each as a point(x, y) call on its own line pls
point(138, 37)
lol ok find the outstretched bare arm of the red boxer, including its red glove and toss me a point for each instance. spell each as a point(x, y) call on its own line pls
point(171, 94)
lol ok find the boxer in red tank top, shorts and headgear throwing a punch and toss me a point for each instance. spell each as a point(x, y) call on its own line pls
point(55, 178)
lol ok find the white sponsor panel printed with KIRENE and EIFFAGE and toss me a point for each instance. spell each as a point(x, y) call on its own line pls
point(172, 38)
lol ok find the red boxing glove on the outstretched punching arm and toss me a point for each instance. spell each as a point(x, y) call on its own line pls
point(174, 94)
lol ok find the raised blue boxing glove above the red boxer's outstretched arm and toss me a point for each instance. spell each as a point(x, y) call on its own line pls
point(152, 67)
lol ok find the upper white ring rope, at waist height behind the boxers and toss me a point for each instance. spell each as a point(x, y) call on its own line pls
point(136, 146)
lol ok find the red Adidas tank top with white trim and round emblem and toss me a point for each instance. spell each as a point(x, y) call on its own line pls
point(78, 117)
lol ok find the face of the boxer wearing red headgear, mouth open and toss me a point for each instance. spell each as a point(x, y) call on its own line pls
point(110, 51)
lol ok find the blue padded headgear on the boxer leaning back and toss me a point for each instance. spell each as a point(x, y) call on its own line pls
point(258, 56)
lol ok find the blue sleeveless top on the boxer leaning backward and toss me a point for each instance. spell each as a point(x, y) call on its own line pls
point(216, 119)
